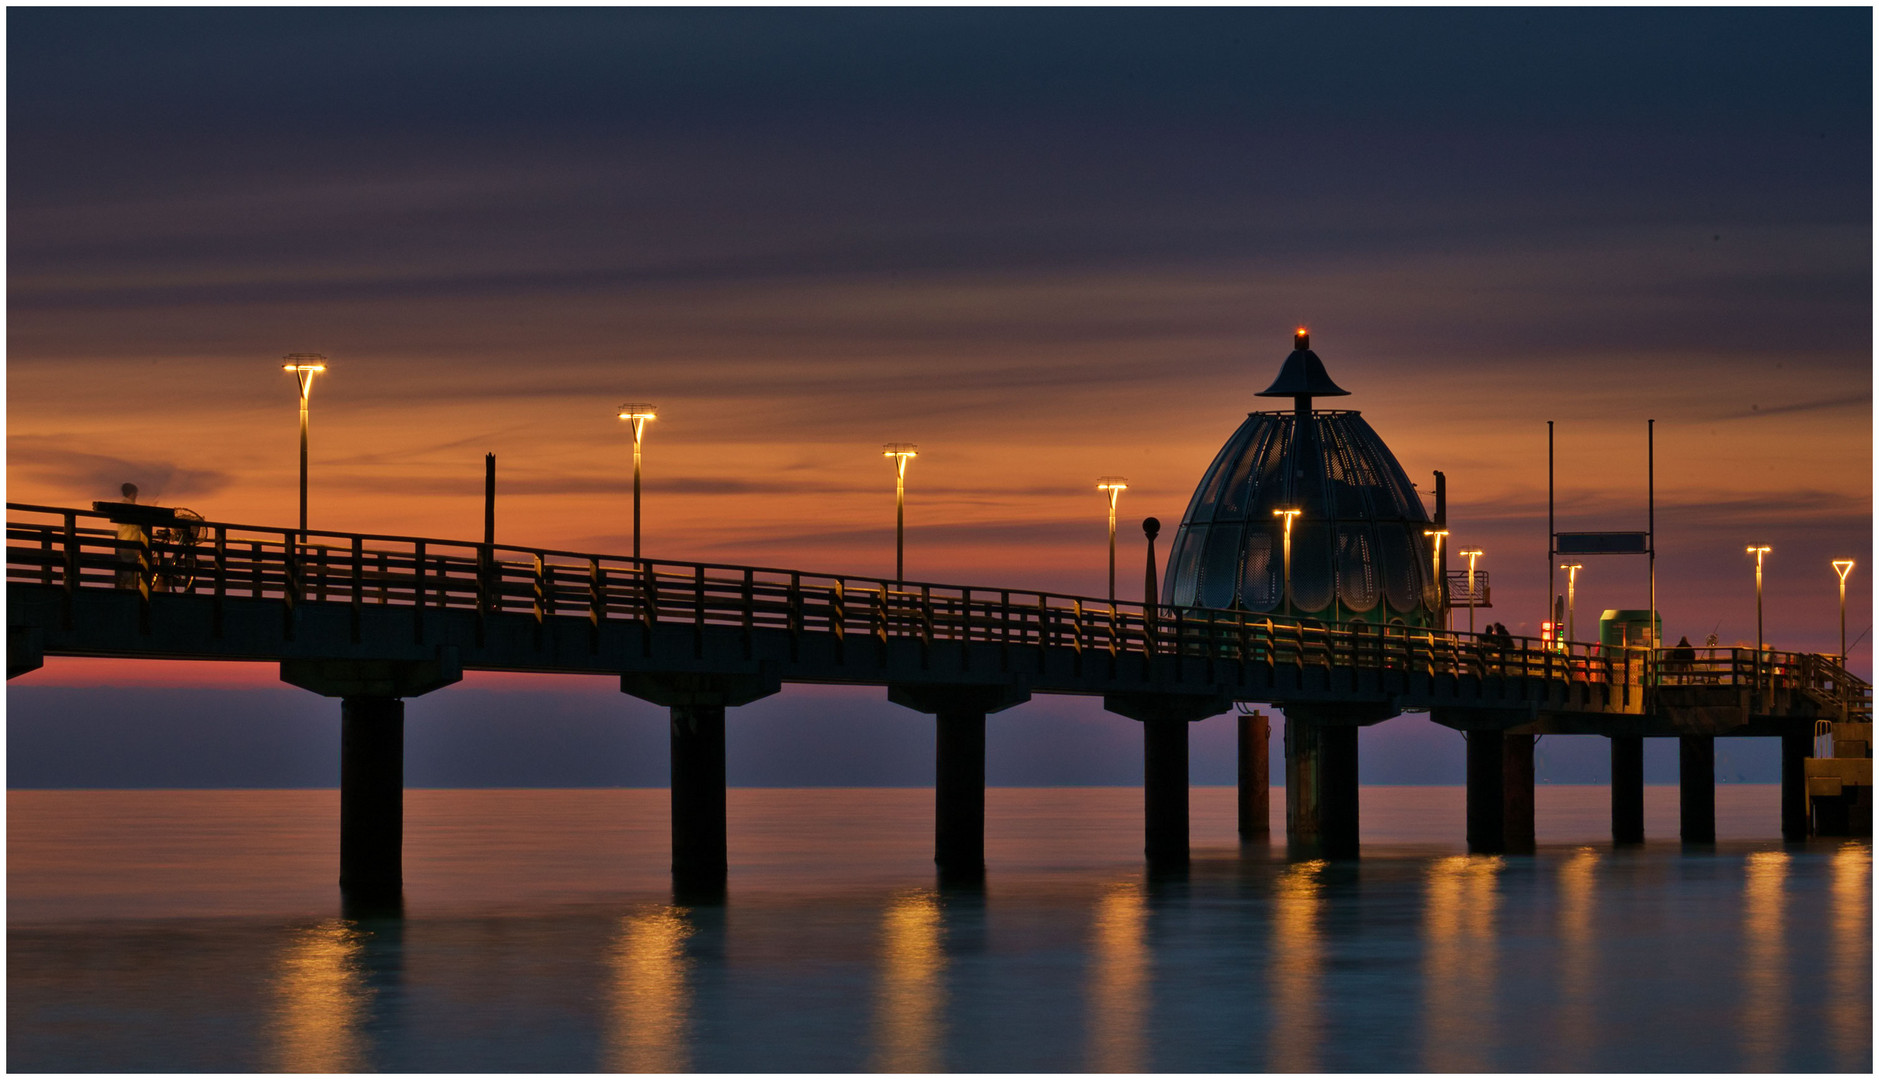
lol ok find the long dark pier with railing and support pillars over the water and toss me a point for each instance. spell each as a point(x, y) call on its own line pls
point(373, 621)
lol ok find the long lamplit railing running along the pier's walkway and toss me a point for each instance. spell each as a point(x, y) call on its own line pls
point(69, 551)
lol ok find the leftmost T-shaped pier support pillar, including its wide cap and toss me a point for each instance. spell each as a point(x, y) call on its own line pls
point(373, 764)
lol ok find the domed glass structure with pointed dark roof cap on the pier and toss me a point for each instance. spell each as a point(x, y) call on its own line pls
point(1358, 546)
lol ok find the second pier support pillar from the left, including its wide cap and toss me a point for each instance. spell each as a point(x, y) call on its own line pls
point(698, 703)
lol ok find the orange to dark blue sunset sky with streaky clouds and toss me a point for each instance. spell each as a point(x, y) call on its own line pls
point(1042, 245)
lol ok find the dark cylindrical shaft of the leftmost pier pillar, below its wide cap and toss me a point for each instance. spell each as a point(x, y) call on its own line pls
point(373, 797)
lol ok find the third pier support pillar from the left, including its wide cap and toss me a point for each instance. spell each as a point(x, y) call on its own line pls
point(959, 715)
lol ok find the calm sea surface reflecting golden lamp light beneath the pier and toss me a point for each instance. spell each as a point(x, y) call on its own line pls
point(200, 931)
